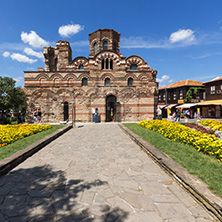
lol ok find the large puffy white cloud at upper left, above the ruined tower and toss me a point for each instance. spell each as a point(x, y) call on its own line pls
point(33, 39)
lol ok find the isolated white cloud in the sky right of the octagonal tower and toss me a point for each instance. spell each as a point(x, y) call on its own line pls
point(182, 35)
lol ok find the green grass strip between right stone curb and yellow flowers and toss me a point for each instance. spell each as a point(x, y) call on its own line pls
point(207, 168)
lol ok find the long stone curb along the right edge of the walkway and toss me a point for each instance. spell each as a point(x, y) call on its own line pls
point(191, 183)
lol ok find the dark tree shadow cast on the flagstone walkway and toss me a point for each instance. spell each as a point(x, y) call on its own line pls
point(41, 194)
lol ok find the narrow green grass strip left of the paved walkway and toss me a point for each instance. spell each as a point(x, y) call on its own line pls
point(8, 150)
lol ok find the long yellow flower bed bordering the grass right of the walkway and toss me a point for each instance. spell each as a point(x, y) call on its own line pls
point(203, 142)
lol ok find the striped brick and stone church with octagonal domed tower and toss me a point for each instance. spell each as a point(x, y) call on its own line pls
point(122, 89)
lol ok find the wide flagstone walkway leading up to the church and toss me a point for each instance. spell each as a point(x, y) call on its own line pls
point(94, 173)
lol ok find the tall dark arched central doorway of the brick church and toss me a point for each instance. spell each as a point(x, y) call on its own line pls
point(110, 108)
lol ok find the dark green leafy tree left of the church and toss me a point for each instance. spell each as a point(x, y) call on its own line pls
point(11, 99)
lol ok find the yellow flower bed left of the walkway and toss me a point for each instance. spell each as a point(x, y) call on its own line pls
point(11, 133)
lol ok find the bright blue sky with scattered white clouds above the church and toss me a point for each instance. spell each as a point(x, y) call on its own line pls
point(181, 39)
